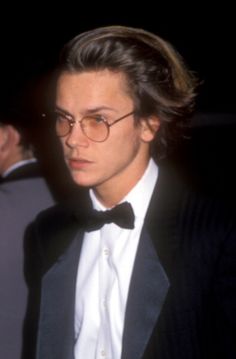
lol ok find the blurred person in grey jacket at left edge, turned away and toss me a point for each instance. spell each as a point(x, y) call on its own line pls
point(23, 194)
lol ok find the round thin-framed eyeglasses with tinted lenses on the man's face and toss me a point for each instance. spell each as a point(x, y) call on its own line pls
point(94, 127)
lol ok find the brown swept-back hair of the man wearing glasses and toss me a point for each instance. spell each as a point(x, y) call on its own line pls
point(158, 79)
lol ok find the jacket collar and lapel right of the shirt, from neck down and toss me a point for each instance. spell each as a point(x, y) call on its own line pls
point(149, 284)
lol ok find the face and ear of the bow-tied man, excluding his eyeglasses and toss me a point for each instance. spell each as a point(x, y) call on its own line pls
point(117, 163)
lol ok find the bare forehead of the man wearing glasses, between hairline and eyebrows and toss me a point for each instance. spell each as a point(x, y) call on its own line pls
point(93, 88)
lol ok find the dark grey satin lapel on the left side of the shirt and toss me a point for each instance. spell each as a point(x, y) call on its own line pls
point(56, 329)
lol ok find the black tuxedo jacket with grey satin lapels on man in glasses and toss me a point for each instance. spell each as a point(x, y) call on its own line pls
point(182, 296)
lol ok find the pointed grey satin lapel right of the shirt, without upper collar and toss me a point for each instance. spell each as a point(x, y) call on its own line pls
point(148, 289)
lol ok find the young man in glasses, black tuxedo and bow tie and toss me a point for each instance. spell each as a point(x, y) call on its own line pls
point(164, 285)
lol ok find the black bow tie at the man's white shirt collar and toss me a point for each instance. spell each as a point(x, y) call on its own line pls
point(122, 215)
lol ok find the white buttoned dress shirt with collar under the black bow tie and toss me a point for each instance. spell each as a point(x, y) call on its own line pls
point(103, 278)
